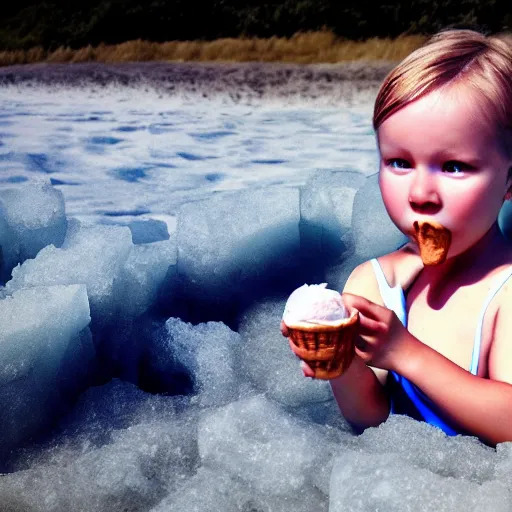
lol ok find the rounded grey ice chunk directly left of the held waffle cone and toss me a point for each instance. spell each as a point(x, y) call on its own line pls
point(267, 360)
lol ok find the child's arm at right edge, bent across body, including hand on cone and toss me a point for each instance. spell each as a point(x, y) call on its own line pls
point(480, 406)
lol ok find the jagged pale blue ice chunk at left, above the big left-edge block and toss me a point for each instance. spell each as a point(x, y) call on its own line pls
point(94, 256)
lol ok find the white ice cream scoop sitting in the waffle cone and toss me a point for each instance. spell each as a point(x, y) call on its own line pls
point(314, 304)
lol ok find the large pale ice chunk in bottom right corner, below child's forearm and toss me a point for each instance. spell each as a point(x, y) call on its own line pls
point(409, 465)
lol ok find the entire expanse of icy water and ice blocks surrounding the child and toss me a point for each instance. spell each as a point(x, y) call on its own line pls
point(149, 241)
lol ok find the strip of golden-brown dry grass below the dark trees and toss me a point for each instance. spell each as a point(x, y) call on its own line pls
point(304, 48)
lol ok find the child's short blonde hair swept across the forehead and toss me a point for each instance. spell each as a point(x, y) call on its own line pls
point(453, 59)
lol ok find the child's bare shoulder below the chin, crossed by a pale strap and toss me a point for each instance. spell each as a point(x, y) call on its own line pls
point(399, 267)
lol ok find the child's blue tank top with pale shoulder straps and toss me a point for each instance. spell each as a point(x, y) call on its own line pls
point(406, 398)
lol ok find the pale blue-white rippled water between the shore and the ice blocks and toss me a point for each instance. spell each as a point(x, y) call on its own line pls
point(119, 152)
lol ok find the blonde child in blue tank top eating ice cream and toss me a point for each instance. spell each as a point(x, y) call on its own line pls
point(435, 341)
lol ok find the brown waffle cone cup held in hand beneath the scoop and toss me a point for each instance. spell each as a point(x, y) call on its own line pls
point(327, 349)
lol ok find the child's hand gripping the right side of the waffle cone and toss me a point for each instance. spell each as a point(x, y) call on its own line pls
point(382, 338)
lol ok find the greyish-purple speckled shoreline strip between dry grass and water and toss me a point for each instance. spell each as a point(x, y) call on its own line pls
point(241, 81)
